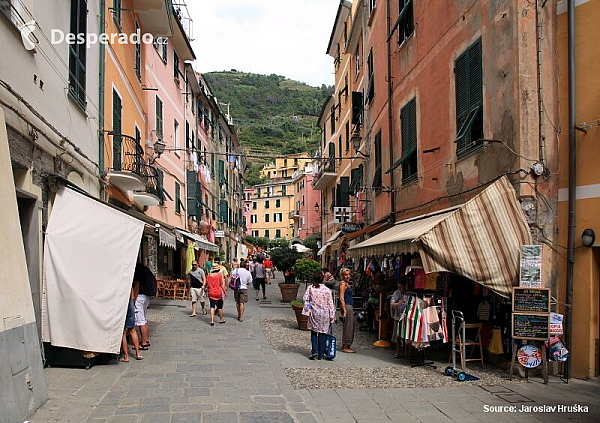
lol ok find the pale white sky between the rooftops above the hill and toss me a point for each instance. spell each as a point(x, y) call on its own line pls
point(287, 38)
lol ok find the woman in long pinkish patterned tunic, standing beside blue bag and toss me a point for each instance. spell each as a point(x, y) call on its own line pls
point(322, 315)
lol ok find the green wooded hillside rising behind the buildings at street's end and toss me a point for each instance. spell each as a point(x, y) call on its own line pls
point(274, 115)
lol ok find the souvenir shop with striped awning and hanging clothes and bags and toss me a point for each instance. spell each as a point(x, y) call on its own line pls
point(465, 258)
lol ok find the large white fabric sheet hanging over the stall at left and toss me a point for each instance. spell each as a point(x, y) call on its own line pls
point(90, 253)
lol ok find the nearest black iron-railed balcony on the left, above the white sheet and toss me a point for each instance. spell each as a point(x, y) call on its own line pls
point(127, 163)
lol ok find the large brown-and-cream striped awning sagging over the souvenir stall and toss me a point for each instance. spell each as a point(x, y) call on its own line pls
point(480, 240)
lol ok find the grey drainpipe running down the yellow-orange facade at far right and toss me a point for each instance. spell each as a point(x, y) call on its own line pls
point(572, 186)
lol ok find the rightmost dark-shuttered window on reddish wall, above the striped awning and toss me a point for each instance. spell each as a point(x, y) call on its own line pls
point(469, 99)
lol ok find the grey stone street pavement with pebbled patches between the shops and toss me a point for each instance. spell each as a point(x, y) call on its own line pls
point(231, 373)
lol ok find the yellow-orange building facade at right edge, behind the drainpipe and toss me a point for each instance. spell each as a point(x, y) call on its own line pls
point(585, 351)
